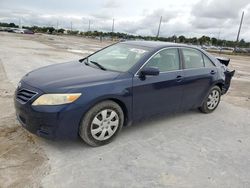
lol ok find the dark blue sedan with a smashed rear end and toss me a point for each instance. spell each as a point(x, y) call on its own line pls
point(98, 95)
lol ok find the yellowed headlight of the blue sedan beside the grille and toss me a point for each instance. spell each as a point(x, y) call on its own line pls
point(56, 99)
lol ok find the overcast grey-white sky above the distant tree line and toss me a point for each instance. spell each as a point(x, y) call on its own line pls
point(191, 18)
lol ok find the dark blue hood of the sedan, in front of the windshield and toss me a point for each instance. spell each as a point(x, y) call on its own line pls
point(66, 76)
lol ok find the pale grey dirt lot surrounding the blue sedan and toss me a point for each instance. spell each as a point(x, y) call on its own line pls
point(184, 150)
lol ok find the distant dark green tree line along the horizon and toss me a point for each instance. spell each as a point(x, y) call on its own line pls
point(204, 40)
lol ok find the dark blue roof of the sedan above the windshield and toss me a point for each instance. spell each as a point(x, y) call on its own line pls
point(156, 44)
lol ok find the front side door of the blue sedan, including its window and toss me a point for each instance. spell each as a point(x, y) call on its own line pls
point(162, 93)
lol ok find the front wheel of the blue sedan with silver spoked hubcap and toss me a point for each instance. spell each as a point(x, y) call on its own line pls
point(101, 123)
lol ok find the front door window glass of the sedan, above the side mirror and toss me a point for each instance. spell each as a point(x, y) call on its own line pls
point(165, 60)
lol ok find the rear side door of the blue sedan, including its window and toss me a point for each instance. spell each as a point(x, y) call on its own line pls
point(199, 73)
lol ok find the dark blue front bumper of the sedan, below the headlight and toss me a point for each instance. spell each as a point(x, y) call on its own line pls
point(61, 121)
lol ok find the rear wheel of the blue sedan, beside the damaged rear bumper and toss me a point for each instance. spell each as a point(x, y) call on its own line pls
point(211, 101)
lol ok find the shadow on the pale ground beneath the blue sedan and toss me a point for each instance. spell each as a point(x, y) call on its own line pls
point(156, 123)
